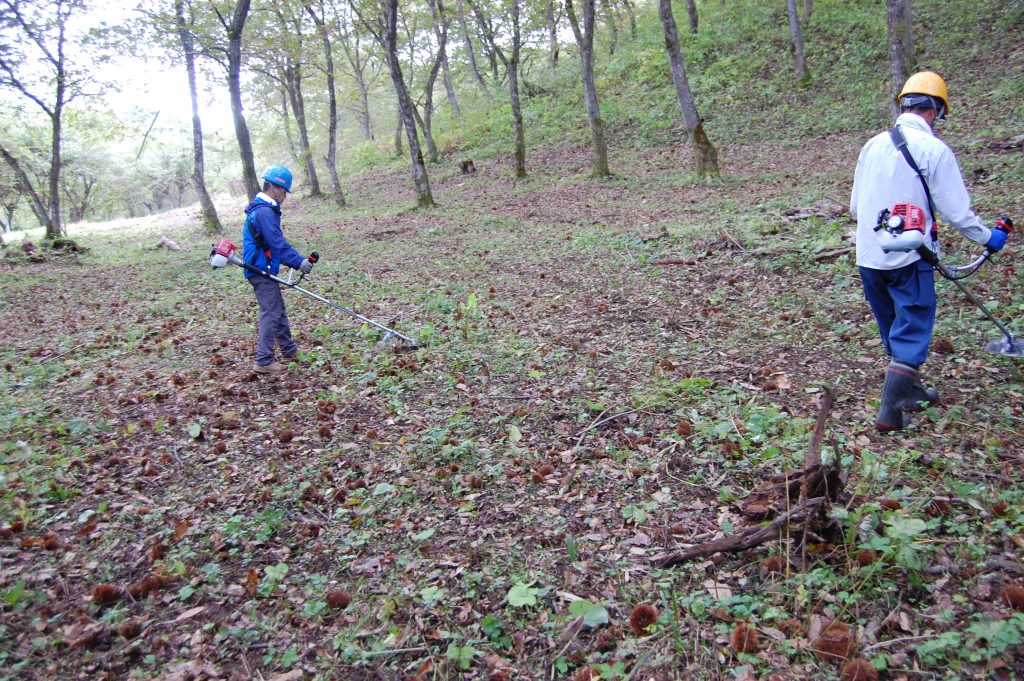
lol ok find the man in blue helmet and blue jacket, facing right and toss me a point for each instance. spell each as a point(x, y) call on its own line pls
point(267, 249)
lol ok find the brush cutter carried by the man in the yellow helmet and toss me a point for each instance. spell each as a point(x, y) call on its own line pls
point(903, 229)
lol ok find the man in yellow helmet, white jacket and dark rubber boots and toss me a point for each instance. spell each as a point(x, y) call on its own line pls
point(900, 286)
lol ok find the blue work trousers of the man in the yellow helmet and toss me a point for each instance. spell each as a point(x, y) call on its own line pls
point(904, 304)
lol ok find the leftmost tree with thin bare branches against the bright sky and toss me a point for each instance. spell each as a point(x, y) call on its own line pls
point(33, 61)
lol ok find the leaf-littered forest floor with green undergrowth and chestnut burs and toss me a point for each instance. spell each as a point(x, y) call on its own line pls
point(608, 370)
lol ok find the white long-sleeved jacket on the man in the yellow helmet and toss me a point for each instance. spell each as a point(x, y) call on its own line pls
point(884, 179)
